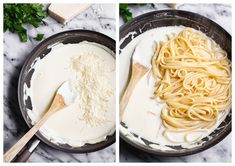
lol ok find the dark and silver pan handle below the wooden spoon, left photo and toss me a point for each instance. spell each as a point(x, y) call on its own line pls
point(24, 156)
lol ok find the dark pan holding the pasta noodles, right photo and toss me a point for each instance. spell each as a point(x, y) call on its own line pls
point(163, 18)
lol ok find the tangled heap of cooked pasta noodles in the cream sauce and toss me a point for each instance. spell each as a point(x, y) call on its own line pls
point(193, 77)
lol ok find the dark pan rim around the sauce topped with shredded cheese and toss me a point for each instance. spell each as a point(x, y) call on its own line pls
point(74, 36)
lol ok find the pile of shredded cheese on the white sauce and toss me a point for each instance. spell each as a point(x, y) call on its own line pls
point(92, 84)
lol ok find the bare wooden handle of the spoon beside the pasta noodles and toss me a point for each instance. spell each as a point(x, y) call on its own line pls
point(138, 71)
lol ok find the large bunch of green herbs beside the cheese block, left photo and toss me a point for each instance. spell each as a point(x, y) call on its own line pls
point(16, 15)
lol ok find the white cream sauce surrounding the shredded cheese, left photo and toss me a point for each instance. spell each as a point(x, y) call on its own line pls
point(65, 126)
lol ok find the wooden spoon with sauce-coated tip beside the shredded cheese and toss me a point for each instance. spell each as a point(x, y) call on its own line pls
point(57, 104)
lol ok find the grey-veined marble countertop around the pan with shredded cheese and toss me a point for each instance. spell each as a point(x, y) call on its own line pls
point(99, 18)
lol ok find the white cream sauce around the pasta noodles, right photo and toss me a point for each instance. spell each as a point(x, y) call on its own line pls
point(142, 114)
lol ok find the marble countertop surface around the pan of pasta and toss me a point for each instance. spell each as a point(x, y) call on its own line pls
point(222, 152)
